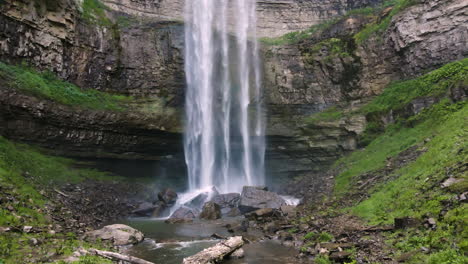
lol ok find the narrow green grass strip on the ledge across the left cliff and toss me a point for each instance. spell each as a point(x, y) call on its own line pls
point(46, 85)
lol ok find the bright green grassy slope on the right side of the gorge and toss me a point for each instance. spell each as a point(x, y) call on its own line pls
point(415, 189)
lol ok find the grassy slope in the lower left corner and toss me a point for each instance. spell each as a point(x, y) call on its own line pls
point(23, 172)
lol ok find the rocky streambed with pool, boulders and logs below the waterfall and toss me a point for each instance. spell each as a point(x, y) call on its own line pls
point(174, 228)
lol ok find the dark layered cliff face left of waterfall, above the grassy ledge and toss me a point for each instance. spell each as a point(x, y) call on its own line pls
point(136, 57)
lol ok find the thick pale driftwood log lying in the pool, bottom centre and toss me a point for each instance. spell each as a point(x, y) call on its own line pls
point(216, 253)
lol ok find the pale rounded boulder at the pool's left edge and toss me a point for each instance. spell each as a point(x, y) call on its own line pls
point(119, 234)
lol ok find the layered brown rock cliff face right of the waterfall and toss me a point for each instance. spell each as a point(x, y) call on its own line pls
point(333, 68)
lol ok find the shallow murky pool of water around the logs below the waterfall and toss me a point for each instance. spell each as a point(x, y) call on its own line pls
point(171, 243)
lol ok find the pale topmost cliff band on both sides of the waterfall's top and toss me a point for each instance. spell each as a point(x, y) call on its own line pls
point(275, 17)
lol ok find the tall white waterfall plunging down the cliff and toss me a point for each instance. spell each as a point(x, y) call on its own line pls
point(224, 133)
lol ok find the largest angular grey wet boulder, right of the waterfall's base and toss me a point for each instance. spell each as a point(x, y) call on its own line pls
point(253, 198)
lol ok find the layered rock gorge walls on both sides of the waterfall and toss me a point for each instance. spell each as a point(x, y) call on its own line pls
point(136, 48)
